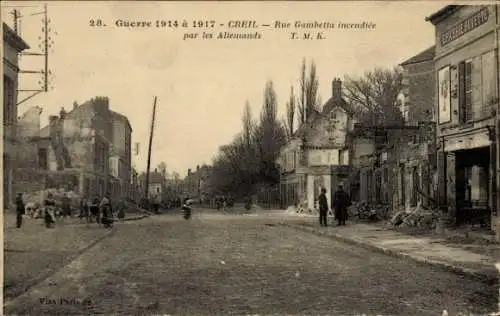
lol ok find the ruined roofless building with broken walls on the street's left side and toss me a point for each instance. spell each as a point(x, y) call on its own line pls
point(81, 151)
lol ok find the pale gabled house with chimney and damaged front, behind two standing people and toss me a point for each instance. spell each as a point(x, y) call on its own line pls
point(316, 154)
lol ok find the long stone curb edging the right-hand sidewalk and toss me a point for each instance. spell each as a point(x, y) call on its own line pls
point(479, 275)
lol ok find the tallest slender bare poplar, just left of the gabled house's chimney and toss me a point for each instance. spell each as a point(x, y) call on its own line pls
point(308, 98)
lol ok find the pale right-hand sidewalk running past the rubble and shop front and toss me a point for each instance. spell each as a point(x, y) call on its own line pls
point(472, 260)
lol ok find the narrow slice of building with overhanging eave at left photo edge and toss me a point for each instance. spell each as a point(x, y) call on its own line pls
point(13, 45)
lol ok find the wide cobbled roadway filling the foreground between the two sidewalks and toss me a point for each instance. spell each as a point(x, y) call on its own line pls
point(239, 265)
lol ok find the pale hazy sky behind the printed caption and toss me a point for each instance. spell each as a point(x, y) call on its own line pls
point(202, 85)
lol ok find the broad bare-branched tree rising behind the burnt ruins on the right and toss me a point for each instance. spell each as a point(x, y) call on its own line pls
point(374, 96)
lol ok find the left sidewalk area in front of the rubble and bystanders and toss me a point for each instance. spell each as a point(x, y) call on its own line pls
point(33, 252)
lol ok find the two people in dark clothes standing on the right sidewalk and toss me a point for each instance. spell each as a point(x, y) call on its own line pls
point(340, 202)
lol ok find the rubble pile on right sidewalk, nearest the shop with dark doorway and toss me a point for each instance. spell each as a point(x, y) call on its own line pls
point(416, 217)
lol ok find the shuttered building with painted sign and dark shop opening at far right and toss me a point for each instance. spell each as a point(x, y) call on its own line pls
point(466, 67)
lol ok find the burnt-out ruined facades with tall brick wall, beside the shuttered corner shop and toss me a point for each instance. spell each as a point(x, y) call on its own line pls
point(394, 165)
